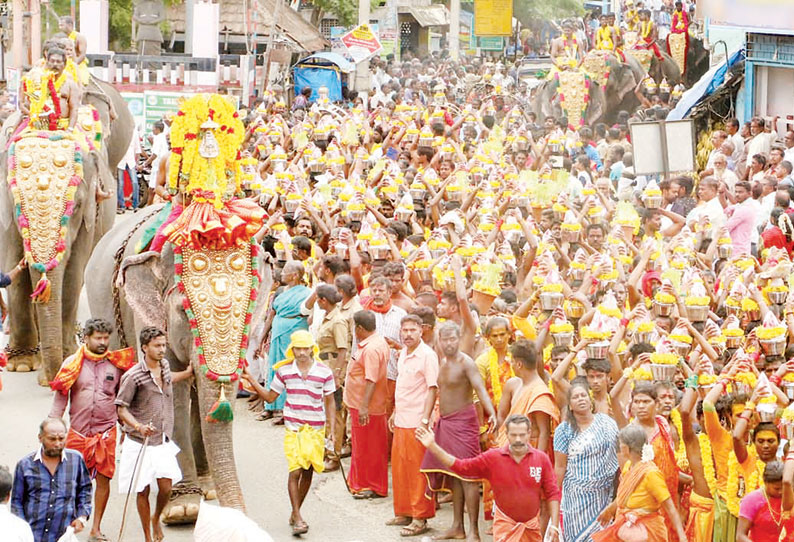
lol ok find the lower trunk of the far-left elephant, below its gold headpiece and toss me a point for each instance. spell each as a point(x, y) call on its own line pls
point(50, 323)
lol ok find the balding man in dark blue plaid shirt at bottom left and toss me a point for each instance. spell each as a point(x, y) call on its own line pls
point(52, 487)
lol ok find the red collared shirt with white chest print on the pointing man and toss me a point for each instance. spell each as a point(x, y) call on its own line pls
point(517, 487)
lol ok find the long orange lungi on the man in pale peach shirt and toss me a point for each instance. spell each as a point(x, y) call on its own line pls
point(408, 484)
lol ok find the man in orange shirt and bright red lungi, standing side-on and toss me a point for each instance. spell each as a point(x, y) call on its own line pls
point(366, 397)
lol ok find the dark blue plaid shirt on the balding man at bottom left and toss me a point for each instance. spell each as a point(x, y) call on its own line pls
point(49, 503)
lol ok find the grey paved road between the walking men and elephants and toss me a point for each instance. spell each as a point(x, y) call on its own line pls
point(332, 514)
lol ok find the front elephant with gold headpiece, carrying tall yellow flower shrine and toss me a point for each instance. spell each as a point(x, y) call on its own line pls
point(192, 269)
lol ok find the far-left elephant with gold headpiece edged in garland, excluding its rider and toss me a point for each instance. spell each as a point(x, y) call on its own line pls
point(52, 209)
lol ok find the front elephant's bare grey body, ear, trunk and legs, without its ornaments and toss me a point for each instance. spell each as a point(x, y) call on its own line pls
point(137, 290)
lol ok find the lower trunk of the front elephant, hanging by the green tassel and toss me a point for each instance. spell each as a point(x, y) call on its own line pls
point(218, 443)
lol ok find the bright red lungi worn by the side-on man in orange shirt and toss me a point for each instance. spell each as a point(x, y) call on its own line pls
point(369, 460)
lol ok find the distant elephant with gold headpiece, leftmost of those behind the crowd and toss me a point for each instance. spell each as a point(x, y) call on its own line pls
point(573, 95)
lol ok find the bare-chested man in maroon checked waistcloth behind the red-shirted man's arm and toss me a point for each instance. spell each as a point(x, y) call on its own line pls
point(458, 429)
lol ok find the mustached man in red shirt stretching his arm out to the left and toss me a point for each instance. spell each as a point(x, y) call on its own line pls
point(520, 476)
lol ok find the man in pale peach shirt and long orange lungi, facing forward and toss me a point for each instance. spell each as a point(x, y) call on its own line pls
point(414, 399)
